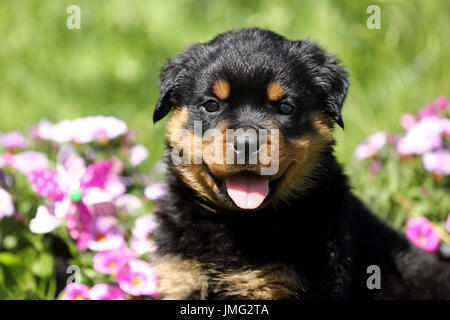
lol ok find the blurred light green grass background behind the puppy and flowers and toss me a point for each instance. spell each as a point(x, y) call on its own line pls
point(110, 66)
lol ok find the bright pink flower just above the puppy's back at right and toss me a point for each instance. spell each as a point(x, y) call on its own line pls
point(421, 233)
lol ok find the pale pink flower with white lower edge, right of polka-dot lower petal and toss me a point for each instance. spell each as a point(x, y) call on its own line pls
point(106, 234)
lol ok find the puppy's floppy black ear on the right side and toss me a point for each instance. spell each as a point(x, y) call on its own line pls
point(330, 77)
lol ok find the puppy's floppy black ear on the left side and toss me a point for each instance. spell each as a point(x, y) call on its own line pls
point(169, 79)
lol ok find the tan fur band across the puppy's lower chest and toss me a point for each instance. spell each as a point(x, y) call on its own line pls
point(189, 279)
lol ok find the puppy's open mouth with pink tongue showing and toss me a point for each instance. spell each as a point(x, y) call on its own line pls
point(248, 191)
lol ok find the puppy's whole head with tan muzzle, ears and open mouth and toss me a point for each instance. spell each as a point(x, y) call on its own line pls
point(253, 114)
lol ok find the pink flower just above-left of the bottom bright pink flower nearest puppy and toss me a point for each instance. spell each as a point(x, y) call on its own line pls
point(110, 262)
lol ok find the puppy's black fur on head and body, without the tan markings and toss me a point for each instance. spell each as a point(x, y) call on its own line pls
point(325, 234)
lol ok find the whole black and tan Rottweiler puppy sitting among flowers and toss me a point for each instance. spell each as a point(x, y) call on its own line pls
point(227, 231)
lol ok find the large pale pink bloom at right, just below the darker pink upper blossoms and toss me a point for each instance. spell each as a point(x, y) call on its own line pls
point(425, 136)
